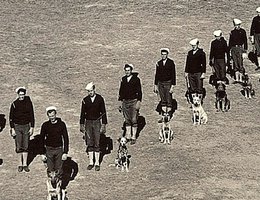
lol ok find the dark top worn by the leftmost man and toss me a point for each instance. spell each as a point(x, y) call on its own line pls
point(21, 112)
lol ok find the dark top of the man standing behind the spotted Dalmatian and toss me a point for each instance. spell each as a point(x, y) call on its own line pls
point(130, 90)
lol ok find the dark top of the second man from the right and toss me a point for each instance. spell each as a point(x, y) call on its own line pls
point(238, 37)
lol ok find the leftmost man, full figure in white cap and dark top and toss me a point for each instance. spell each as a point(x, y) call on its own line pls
point(21, 119)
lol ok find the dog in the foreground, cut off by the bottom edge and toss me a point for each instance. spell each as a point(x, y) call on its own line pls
point(54, 186)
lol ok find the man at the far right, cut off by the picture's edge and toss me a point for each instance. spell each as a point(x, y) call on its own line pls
point(255, 35)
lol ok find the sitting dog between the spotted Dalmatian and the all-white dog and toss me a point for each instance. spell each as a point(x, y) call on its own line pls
point(165, 132)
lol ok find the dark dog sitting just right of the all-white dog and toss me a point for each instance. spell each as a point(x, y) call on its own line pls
point(222, 102)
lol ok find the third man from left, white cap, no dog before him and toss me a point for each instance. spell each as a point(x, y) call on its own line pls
point(93, 120)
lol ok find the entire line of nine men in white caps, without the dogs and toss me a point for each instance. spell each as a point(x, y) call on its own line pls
point(93, 117)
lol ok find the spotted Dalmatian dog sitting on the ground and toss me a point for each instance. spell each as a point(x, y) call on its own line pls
point(123, 159)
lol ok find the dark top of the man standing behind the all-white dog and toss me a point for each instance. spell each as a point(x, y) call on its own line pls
point(196, 63)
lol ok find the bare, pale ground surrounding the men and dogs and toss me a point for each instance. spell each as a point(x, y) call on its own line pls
point(56, 47)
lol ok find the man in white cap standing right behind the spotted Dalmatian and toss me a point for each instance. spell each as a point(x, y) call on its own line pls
point(130, 96)
